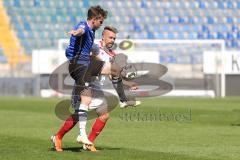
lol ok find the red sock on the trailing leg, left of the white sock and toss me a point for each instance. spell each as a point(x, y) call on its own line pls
point(68, 125)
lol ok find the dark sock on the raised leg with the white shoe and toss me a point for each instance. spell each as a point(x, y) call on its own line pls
point(118, 85)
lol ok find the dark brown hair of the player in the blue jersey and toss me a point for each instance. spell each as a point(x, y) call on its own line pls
point(96, 12)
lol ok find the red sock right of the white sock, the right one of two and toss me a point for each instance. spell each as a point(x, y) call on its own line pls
point(96, 129)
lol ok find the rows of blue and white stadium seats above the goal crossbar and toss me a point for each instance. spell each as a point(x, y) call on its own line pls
point(40, 23)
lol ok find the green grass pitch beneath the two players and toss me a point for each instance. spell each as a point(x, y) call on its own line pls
point(159, 129)
